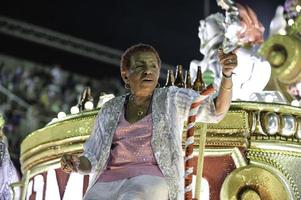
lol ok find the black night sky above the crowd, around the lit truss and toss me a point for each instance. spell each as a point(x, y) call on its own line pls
point(170, 26)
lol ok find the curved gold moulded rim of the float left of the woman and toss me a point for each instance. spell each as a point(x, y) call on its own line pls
point(50, 142)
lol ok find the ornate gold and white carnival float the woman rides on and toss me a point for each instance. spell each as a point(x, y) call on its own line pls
point(253, 153)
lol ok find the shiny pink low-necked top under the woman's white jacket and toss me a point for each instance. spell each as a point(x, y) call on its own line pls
point(131, 153)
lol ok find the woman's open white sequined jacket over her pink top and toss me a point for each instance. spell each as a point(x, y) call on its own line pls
point(170, 107)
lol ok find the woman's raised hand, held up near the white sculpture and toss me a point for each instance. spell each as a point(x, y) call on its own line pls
point(228, 62)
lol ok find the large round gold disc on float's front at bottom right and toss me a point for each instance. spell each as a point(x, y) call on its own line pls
point(252, 182)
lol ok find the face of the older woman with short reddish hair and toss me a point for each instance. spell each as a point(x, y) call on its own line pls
point(143, 73)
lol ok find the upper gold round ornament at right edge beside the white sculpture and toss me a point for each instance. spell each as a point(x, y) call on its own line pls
point(284, 54)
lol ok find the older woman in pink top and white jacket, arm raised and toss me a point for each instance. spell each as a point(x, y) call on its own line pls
point(135, 149)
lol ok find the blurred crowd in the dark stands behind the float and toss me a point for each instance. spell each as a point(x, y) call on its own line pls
point(32, 94)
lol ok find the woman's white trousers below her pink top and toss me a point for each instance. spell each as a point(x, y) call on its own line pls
point(142, 187)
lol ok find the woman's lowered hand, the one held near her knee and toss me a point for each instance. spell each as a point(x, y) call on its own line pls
point(70, 163)
